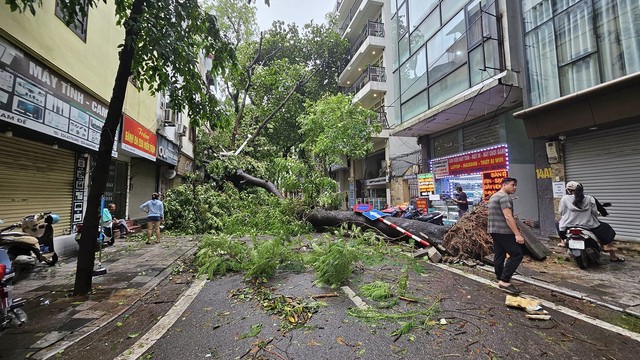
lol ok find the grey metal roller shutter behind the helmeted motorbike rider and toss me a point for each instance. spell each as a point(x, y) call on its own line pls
point(607, 164)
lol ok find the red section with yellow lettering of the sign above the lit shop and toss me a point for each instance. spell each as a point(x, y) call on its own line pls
point(480, 161)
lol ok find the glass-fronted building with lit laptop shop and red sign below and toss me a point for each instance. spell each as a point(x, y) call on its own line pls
point(453, 81)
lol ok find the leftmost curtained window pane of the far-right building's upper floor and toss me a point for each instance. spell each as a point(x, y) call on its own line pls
point(542, 64)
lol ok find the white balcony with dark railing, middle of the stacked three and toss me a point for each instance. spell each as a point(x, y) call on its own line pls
point(367, 49)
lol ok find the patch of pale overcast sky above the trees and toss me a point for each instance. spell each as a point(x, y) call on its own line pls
point(298, 11)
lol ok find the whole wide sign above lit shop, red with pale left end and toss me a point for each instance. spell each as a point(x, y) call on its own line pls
point(475, 162)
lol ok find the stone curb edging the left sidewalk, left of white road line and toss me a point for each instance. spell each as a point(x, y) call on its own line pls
point(86, 330)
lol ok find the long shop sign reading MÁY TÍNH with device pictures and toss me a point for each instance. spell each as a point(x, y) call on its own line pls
point(34, 96)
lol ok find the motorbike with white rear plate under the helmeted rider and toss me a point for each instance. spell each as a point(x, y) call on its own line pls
point(583, 245)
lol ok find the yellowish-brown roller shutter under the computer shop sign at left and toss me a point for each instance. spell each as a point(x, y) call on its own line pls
point(35, 178)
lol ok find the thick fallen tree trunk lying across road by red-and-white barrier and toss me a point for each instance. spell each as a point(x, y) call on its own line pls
point(427, 231)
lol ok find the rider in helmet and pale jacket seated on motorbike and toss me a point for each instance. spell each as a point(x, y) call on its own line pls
point(578, 209)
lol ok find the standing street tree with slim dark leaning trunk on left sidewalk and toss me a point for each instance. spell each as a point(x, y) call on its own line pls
point(162, 44)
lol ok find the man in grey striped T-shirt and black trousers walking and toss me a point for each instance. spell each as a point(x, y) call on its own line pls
point(507, 239)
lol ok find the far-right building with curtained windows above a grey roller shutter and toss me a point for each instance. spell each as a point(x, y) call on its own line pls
point(581, 102)
